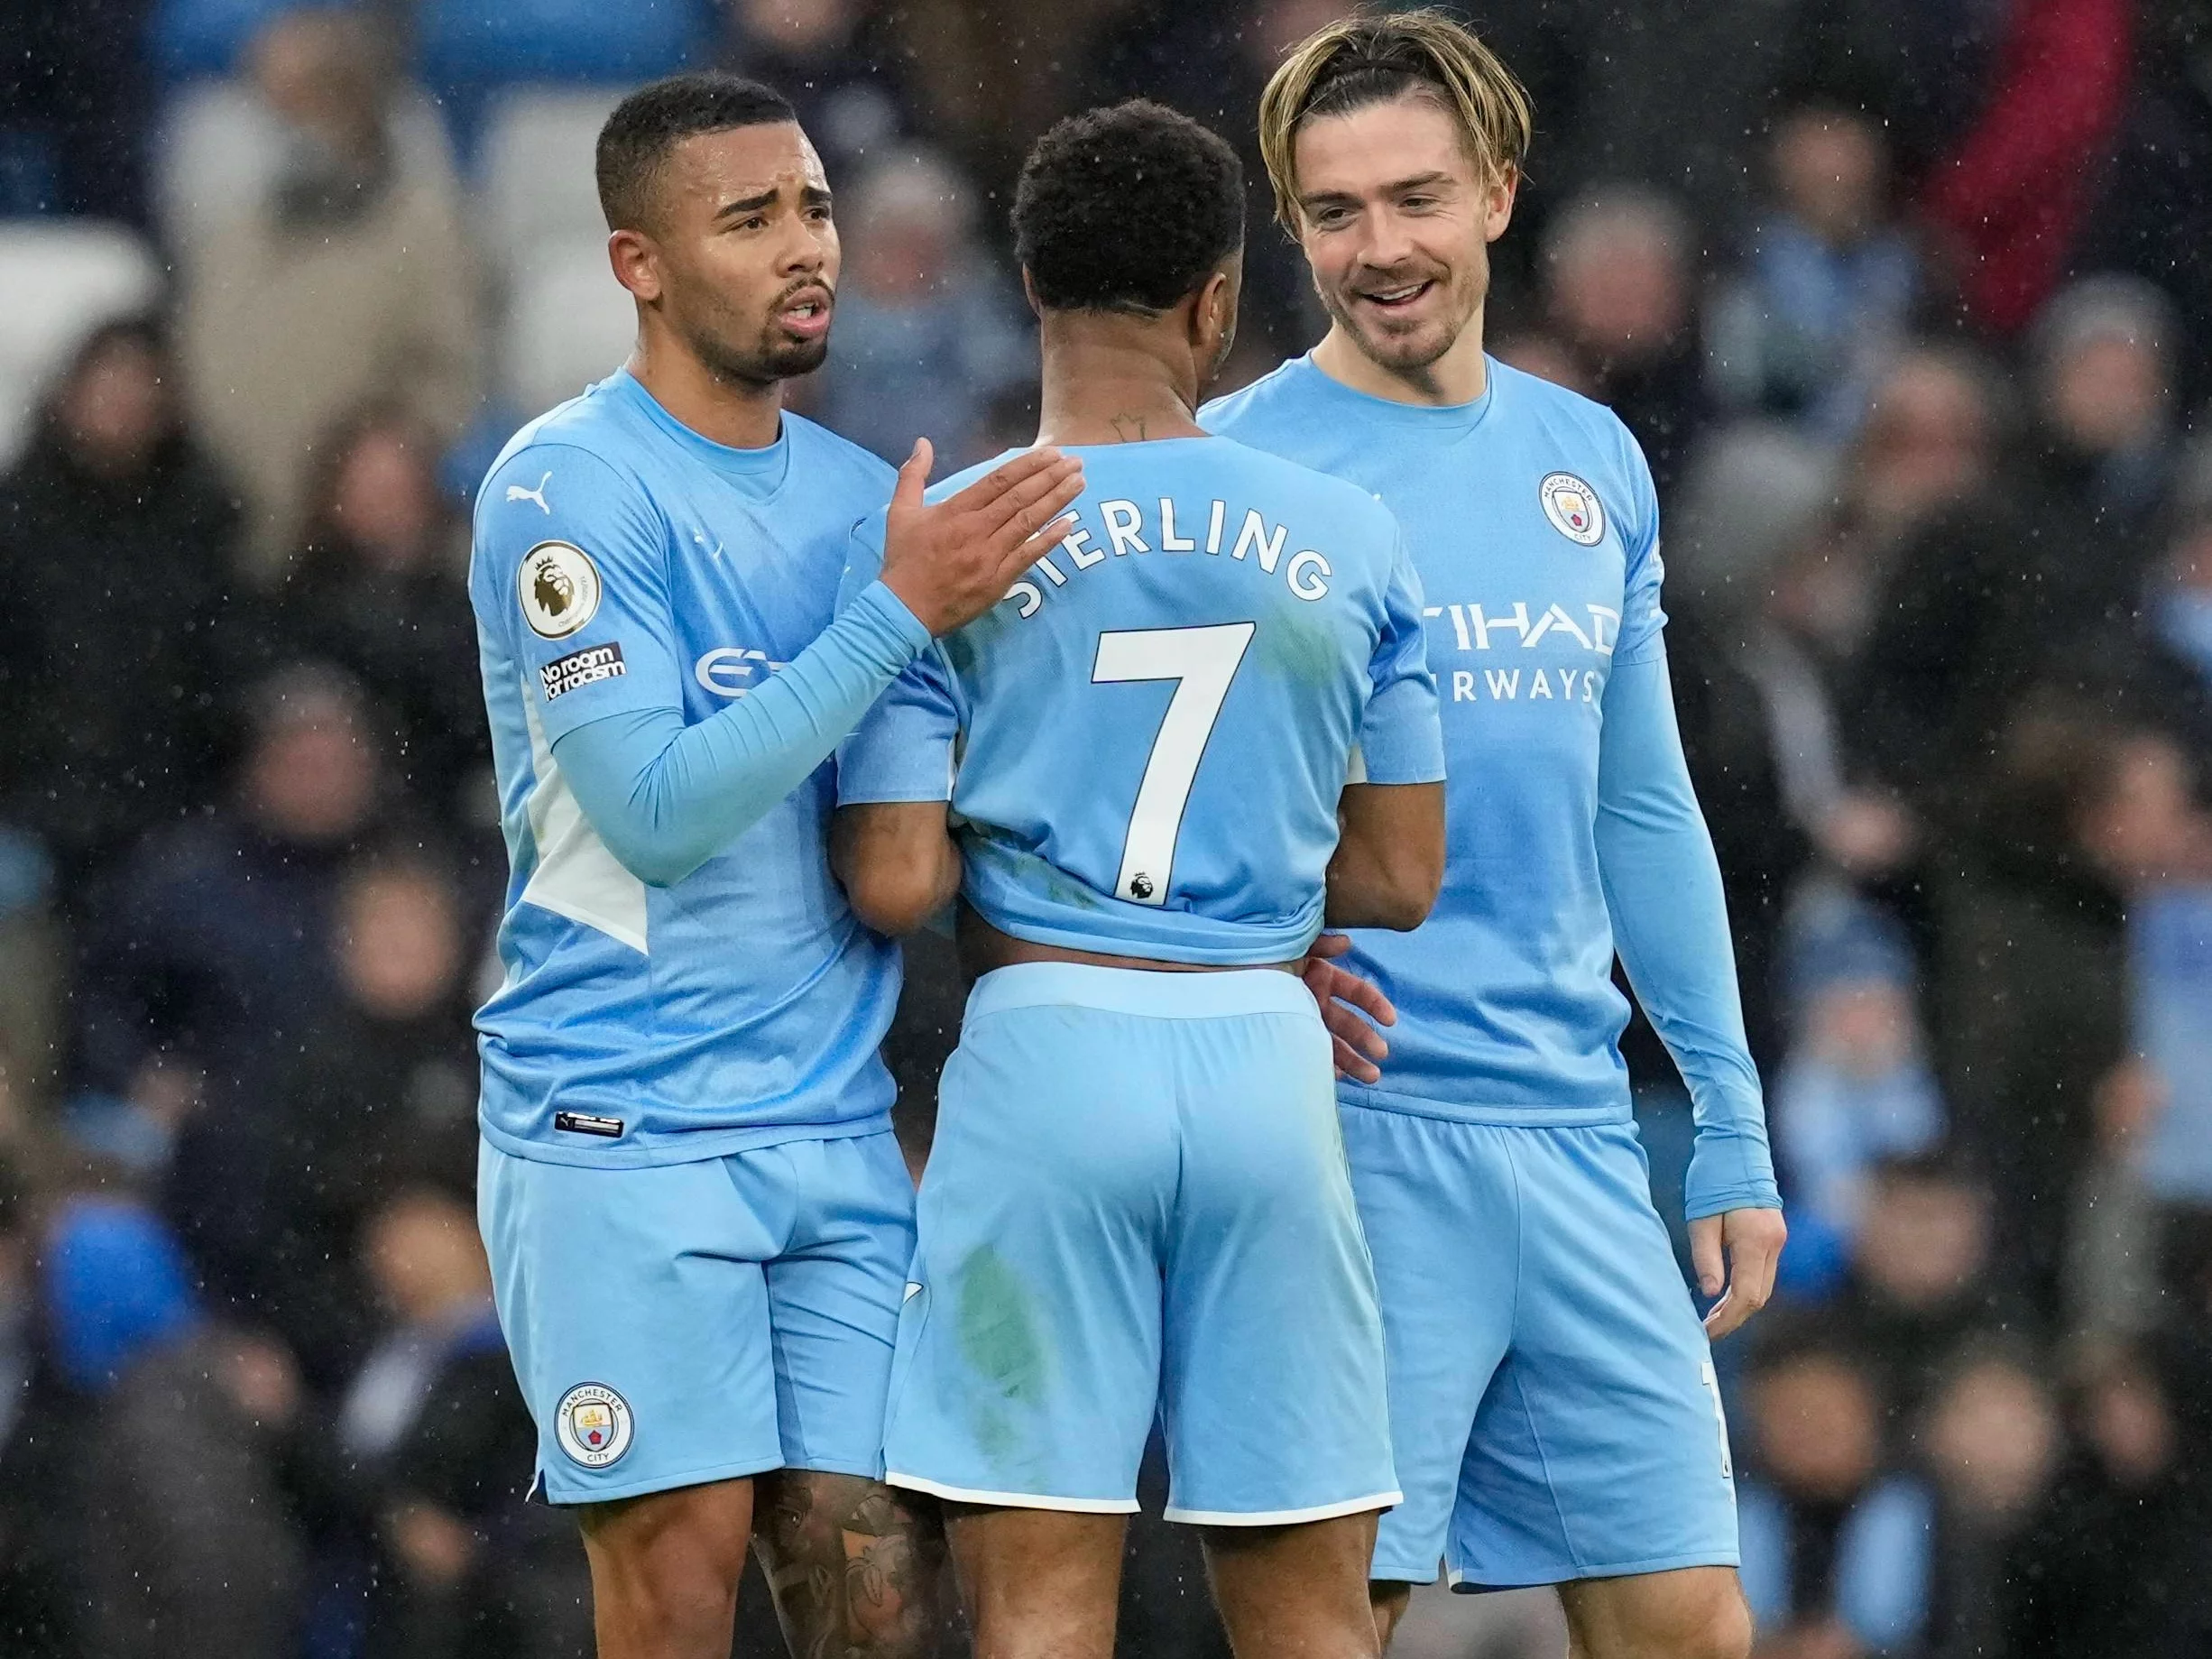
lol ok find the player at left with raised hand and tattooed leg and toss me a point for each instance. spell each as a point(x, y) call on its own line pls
point(698, 1218)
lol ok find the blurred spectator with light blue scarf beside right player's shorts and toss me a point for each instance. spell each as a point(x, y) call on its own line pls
point(1835, 1532)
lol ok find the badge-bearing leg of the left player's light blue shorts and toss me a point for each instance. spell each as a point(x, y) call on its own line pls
point(636, 1311)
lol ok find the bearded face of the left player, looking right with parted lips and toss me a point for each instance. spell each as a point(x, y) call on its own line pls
point(742, 255)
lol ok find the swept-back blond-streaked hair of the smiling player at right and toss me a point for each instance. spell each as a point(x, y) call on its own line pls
point(1377, 61)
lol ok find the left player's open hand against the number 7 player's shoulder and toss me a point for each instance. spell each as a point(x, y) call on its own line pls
point(952, 561)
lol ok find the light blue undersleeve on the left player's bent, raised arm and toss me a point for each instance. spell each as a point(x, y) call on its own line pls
point(667, 797)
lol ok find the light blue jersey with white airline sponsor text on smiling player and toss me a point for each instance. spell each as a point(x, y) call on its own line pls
point(1534, 521)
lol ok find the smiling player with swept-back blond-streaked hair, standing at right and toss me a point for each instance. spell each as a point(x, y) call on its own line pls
point(1554, 1406)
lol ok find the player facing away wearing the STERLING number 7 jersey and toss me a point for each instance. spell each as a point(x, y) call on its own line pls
point(1138, 1202)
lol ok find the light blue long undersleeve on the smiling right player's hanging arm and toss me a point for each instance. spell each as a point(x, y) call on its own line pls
point(1671, 928)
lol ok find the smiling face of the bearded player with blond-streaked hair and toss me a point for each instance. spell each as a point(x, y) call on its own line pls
point(1397, 220)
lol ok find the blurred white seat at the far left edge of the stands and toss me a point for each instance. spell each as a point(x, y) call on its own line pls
point(59, 282)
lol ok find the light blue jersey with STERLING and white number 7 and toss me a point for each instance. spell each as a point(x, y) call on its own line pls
point(1147, 740)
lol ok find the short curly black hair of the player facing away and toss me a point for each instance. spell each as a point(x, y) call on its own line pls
point(1127, 209)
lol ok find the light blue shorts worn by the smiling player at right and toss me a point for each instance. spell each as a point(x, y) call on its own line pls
point(1554, 1408)
